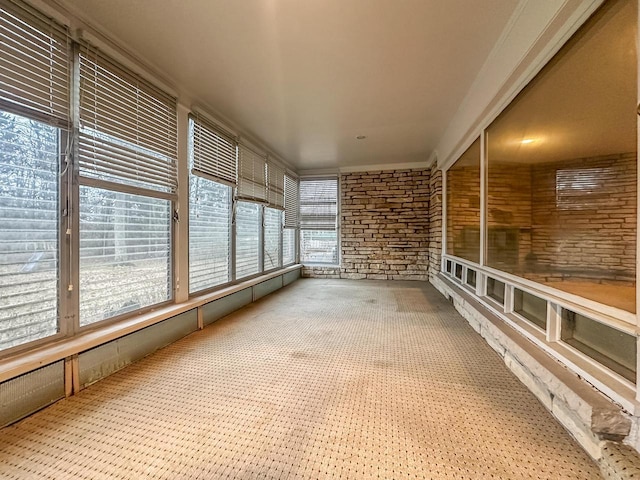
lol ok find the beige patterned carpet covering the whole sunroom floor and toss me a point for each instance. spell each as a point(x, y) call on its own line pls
point(325, 379)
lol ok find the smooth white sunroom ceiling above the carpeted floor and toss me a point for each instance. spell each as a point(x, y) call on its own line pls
point(307, 77)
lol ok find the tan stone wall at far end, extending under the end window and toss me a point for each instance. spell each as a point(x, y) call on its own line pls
point(384, 227)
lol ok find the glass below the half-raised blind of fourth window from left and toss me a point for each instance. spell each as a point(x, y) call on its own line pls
point(248, 231)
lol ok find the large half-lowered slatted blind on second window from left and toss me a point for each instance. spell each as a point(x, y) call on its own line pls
point(128, 127)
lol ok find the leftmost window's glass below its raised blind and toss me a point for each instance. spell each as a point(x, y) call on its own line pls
point(29, 235)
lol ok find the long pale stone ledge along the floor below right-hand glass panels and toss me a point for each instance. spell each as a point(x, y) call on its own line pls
point(586, 413)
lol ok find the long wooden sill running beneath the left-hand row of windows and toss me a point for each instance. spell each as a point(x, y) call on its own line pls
point(28, 360)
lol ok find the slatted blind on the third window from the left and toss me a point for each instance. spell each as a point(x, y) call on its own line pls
point(214, 152)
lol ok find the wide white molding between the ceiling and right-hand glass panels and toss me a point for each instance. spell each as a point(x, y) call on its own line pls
point(536, 31)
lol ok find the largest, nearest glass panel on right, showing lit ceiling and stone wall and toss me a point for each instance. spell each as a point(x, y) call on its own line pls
point(561, 160)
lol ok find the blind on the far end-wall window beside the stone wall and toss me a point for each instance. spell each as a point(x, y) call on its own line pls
point(318, 204)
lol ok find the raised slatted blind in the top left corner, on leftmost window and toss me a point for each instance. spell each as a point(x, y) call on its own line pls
point(34, 65)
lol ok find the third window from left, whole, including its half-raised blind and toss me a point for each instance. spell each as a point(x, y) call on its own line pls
point(212, 157)
